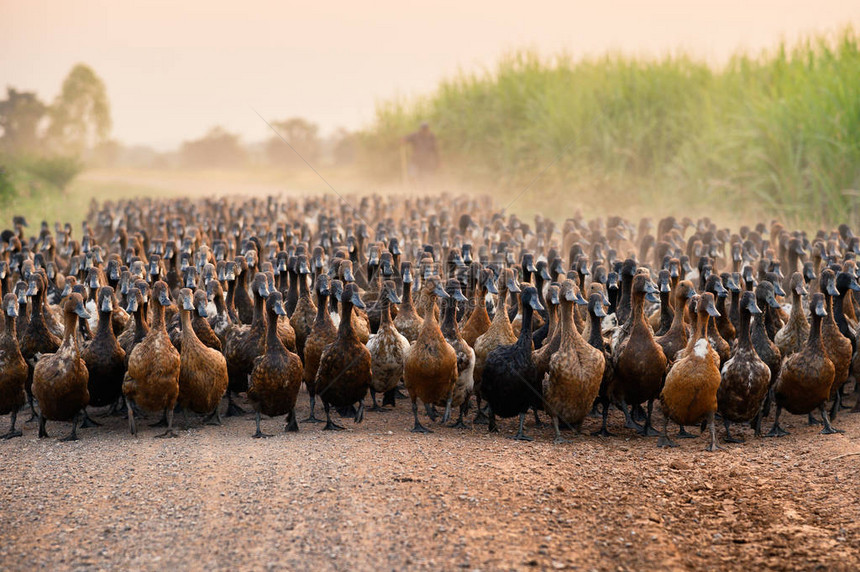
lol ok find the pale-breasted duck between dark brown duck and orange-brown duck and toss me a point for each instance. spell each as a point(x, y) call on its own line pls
point(388, 347)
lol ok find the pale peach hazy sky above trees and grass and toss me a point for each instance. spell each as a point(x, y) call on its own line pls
point(173, 69)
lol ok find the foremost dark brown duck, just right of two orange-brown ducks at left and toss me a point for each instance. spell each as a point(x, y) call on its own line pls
point(277, 375)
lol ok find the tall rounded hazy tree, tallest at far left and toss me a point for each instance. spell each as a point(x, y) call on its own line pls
point(80, 115)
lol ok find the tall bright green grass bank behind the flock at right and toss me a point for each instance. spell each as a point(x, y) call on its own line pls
point(775, 134)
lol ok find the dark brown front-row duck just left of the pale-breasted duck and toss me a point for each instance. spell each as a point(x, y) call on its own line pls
point(344, 373)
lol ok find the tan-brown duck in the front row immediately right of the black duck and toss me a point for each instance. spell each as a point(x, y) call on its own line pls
point(575, 370)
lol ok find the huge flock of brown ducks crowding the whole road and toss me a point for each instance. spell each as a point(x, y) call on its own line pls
point(172, 305)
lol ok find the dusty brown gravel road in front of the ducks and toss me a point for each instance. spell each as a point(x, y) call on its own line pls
point(377, 497)
